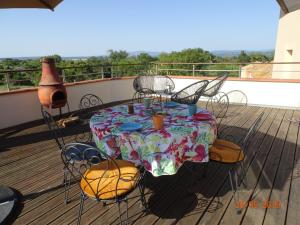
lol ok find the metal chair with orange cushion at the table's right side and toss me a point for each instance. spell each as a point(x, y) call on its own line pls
point(228, 152)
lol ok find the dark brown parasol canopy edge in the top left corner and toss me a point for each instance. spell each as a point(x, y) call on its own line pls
point(46, 4)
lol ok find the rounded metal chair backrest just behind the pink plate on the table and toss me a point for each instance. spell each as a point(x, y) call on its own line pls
point(218, 105)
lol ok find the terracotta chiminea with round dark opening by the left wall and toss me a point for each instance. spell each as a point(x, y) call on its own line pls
point(52, 93)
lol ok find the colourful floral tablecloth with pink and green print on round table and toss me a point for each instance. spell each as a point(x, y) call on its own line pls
point(161, 152)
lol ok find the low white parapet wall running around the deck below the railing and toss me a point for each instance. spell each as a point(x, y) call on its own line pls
point(21, 107)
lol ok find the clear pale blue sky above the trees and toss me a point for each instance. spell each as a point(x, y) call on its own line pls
point(91, 27)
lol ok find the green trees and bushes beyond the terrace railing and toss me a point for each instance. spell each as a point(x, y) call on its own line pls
point(116, 64)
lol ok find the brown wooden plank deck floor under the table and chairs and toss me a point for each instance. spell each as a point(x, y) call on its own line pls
point(30, 163)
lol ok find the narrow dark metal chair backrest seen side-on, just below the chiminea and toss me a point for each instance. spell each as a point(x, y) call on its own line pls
point(53, 127)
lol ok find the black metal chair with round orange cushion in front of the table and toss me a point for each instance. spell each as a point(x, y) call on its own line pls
point(109, 180)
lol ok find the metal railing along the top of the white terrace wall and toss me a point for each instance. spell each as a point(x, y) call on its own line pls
point(24, 78)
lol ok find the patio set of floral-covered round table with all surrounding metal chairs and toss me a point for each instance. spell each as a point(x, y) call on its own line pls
point(127, 144)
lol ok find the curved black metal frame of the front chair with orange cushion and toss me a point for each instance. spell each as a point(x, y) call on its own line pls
point(89, 162)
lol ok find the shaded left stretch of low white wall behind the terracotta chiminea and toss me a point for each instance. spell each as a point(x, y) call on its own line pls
point(21, 107)
